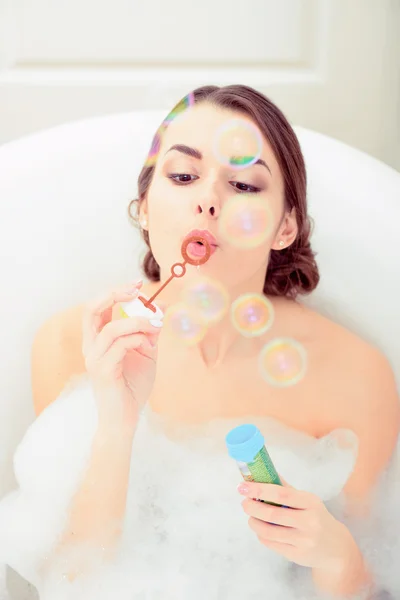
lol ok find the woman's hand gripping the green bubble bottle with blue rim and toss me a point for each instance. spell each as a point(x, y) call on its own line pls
point(304, 533)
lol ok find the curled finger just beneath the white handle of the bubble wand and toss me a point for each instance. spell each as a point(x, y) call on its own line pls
point(116, 329)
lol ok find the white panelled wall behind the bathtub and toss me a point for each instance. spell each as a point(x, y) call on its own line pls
point(331, 65)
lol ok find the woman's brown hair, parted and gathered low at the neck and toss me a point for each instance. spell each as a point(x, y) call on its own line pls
point(290, 271)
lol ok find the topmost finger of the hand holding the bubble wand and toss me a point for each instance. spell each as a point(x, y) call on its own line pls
point(98, 313)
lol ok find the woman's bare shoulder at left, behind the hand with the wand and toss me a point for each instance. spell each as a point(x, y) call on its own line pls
point(56, 355)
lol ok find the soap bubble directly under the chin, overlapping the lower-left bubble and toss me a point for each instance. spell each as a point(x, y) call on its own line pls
point(207, 298)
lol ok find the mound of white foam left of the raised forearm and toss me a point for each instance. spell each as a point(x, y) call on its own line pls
point(48, 465)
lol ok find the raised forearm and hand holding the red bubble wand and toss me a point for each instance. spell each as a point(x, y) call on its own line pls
point(96, 512)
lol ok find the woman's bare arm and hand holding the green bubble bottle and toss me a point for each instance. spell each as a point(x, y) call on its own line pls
point(309, 535)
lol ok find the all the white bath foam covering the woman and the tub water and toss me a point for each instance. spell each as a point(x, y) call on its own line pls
point(185, 535)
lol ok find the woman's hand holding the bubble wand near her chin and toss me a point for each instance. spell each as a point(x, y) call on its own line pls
point(120, 357)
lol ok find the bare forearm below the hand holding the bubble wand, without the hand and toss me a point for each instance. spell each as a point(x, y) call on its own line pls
point(96, 513)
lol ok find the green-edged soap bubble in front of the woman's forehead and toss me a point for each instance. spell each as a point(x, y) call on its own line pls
point(238, 144)
